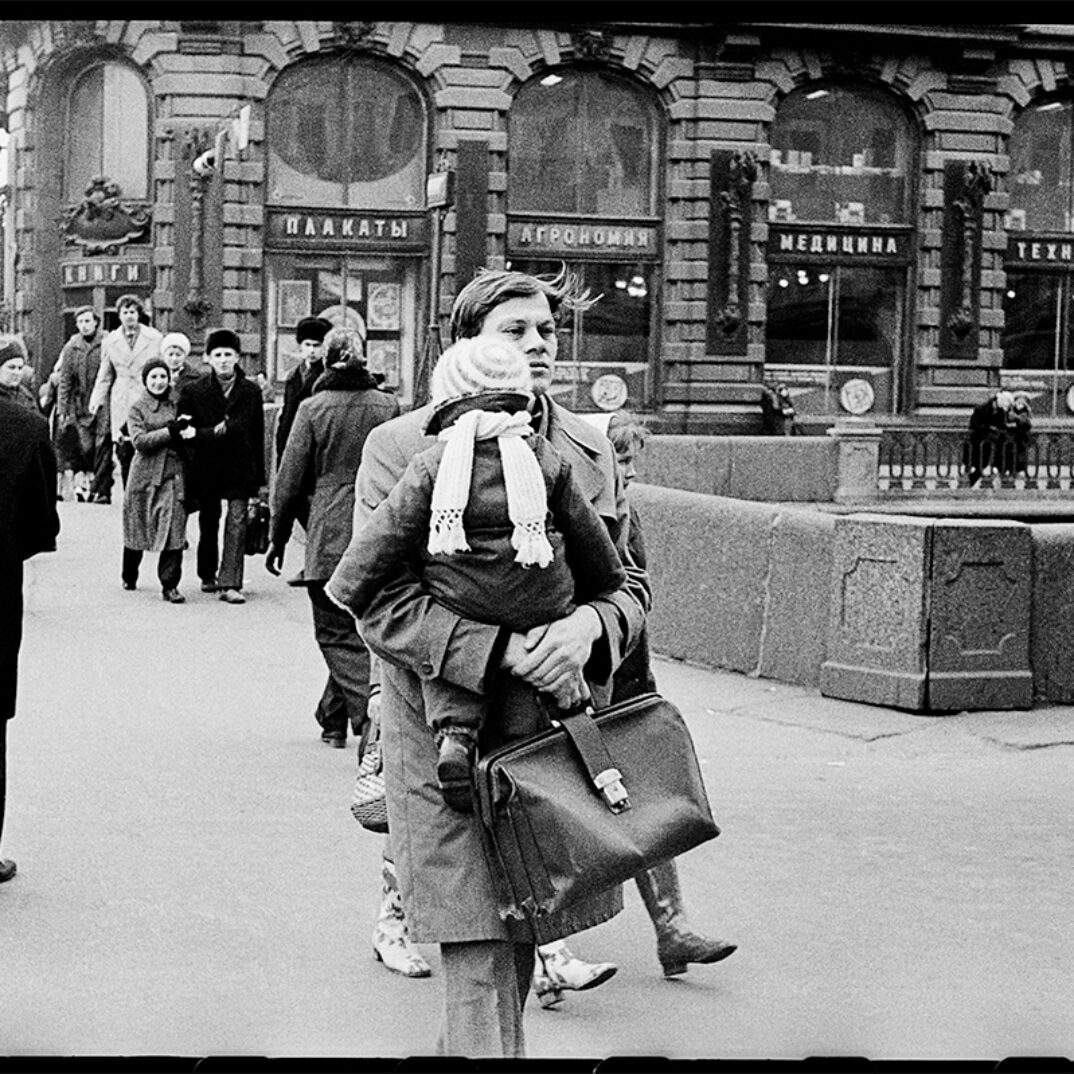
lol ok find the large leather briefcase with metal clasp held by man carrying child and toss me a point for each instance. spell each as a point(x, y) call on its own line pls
point(590, 804)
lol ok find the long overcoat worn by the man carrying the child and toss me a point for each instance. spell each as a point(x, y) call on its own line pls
point(448, 890)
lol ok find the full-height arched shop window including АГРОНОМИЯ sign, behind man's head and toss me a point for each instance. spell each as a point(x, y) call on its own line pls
point(584, 148)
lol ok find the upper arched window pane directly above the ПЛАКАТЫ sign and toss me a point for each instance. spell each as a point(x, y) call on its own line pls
point(346, 133)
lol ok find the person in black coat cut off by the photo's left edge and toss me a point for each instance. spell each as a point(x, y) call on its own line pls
point(28, 526)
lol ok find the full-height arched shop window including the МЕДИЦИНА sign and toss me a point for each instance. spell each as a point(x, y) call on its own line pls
point(840, 249)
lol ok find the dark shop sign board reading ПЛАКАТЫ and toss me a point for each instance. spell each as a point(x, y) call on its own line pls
point(340, 229)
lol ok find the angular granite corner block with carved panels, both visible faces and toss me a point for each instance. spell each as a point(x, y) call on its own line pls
point(931, 615)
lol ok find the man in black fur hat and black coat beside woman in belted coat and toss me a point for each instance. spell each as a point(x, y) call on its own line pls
point(228, 415)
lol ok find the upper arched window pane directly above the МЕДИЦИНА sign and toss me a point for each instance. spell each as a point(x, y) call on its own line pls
point(841, 156)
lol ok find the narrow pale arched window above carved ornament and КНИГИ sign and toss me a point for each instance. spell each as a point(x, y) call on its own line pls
point(108, 132)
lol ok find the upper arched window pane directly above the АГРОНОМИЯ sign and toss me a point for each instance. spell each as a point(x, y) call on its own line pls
point(584, 142)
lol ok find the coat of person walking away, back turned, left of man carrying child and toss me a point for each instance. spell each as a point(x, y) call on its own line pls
point(321, 460)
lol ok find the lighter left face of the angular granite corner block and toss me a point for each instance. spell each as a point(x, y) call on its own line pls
point(878, 619)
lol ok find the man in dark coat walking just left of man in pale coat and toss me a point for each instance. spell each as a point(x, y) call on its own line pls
point(85, 436)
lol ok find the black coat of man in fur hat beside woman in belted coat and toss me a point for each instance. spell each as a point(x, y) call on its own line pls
point(231, 467)
